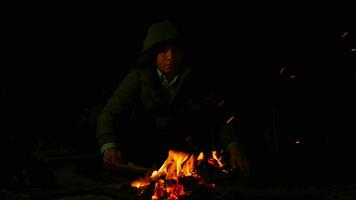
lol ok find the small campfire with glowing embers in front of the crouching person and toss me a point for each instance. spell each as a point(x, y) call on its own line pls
point(179, 175)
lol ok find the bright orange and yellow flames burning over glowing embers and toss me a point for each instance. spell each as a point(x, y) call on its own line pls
point(176, 166)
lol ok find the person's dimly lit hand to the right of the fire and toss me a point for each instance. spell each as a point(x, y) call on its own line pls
point(239, 160)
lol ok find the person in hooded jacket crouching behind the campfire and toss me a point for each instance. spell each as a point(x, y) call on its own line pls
point(161, 105)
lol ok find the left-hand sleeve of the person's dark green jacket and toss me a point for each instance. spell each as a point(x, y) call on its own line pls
point(120, 101)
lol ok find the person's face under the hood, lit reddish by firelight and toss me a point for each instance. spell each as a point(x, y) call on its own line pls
point(169, 59)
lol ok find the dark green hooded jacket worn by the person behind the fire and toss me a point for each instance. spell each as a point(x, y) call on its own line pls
point(140, 97)
